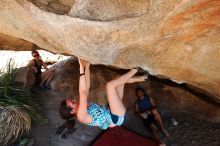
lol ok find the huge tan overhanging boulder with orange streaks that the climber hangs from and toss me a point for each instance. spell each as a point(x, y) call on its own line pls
point(178, 40)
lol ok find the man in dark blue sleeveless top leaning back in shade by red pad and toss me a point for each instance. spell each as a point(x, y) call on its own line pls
point(145, 108)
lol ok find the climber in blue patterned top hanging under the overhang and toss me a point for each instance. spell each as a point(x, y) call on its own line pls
point(93, 114)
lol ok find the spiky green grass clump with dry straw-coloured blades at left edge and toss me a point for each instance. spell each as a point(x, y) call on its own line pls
point(18, 107)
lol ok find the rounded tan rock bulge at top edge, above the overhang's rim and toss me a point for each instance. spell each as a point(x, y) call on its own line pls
point(107, 10)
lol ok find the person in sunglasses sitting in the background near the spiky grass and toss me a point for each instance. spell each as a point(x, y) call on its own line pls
point(42, 79)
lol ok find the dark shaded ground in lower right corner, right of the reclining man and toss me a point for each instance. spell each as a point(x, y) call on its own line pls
point(193, 132)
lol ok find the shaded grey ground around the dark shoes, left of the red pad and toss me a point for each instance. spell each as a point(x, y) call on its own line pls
point(44, 135)
